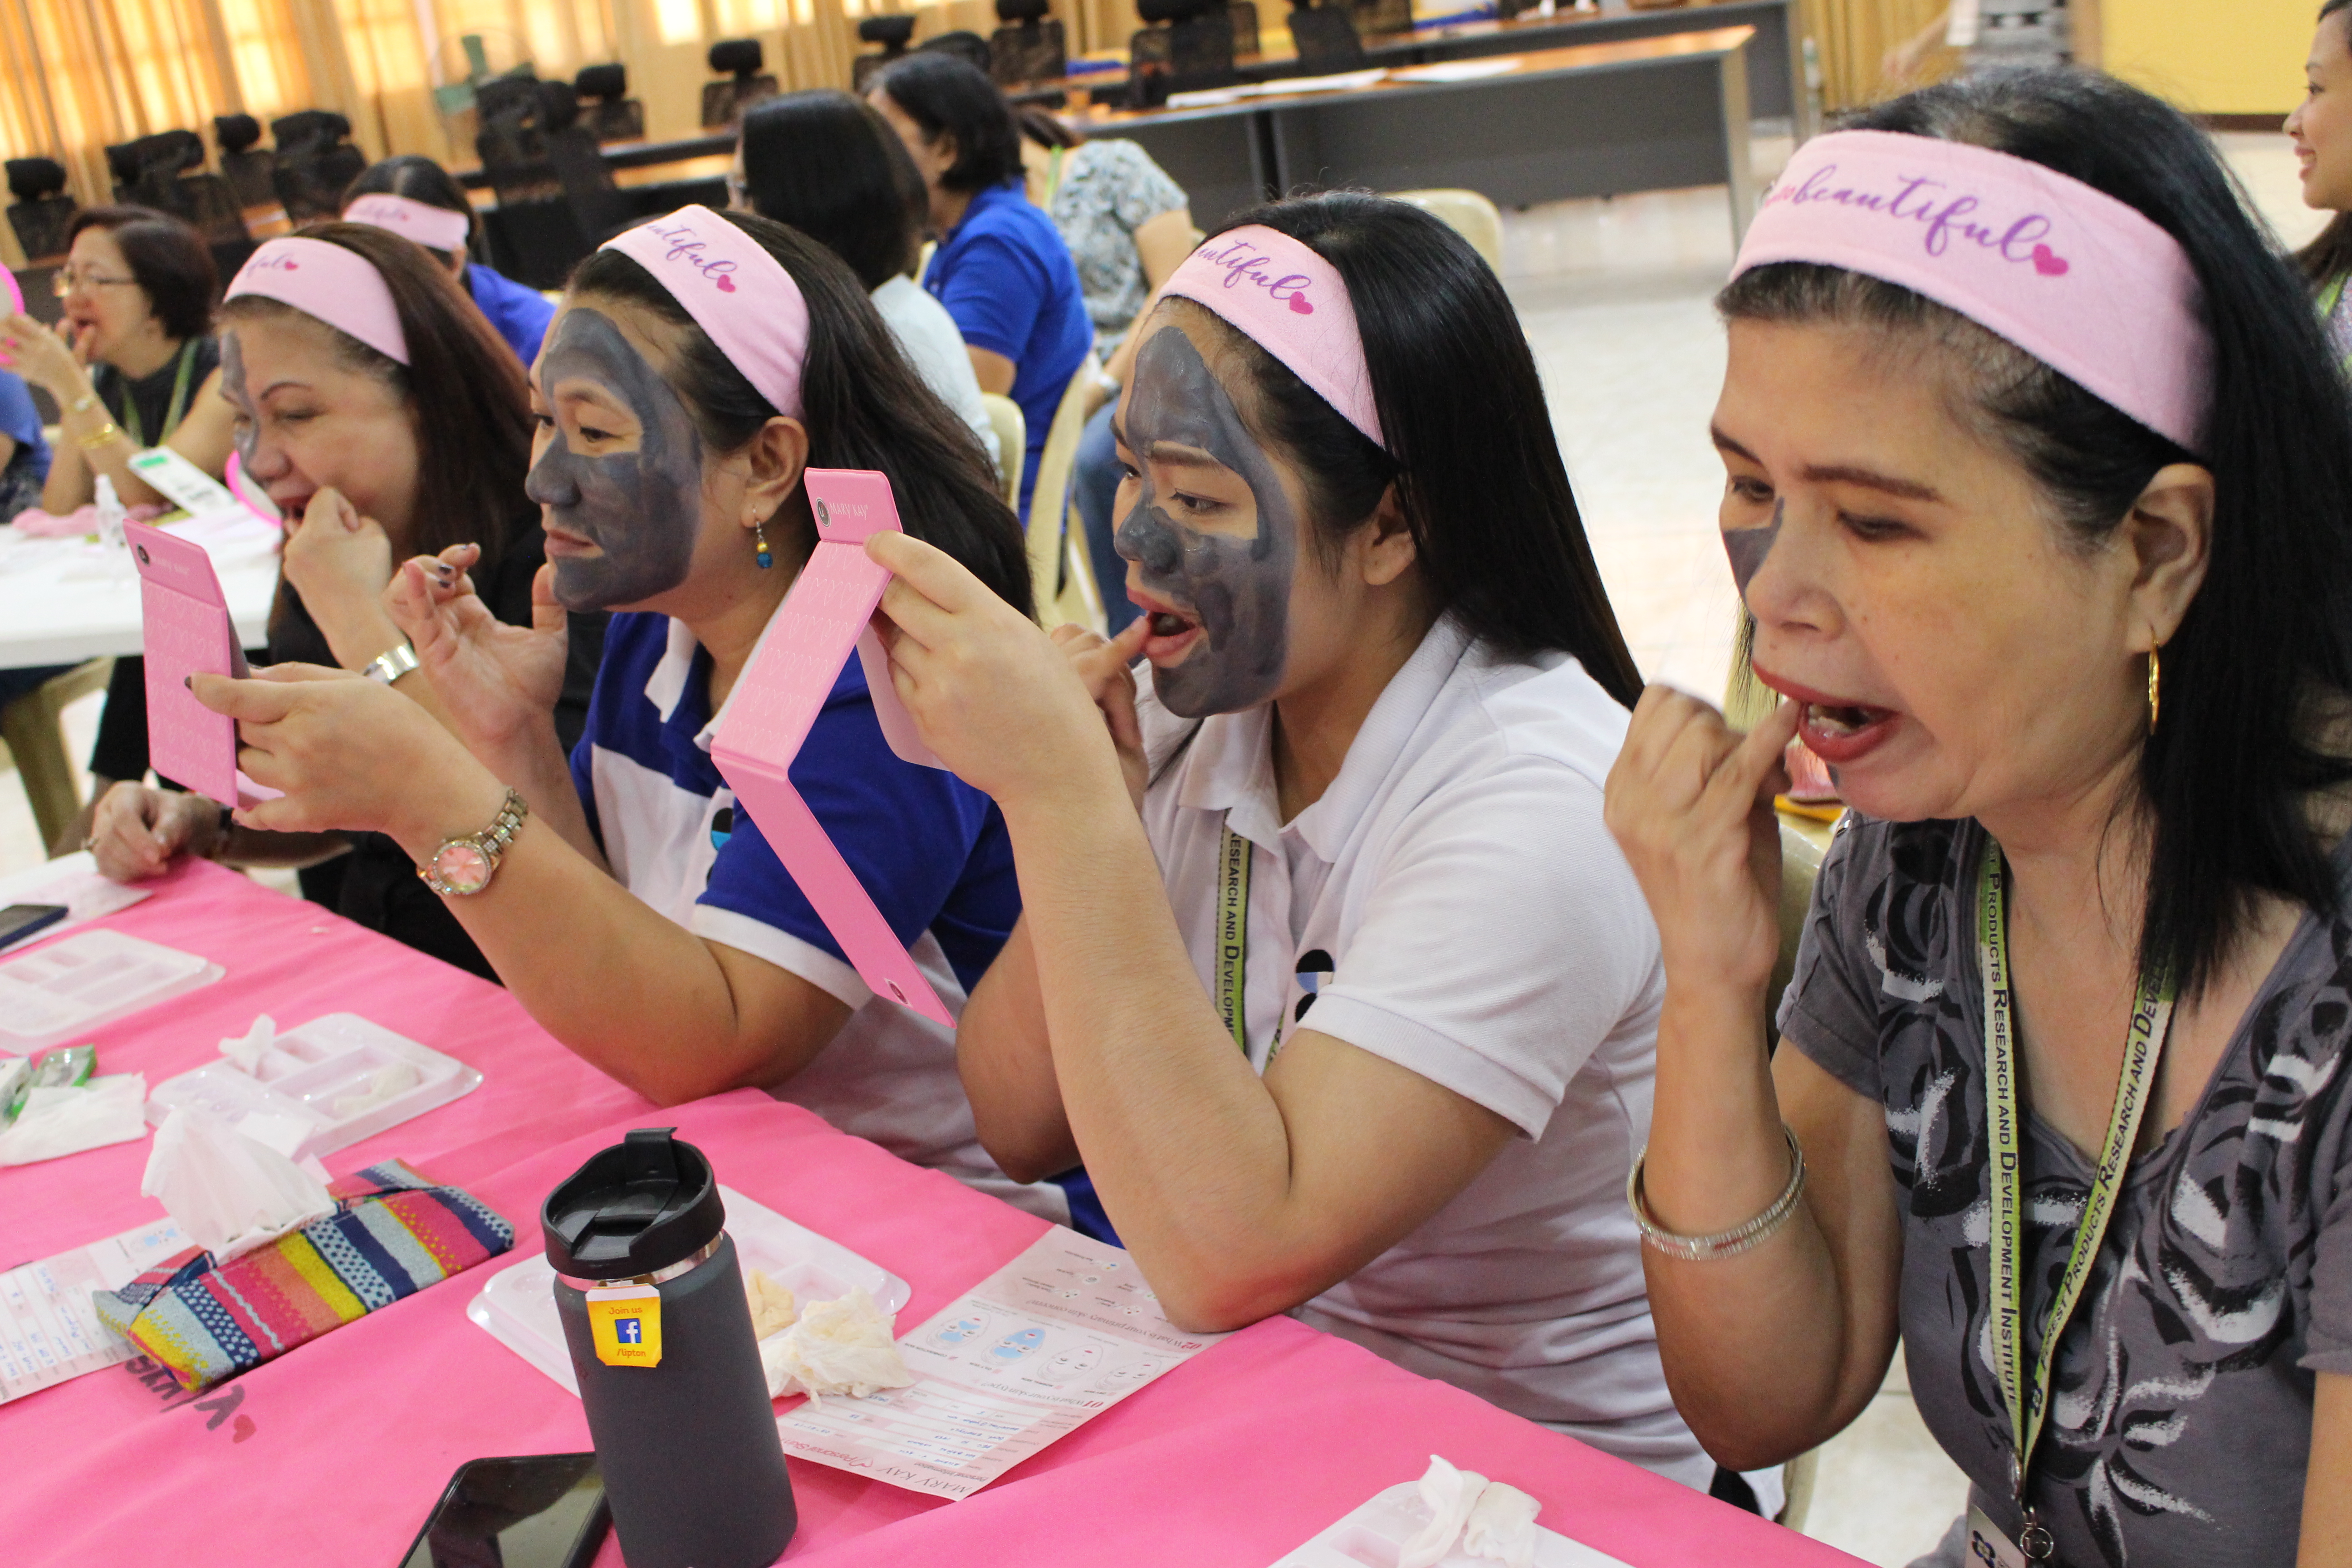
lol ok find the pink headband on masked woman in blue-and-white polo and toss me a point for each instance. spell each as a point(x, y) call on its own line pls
point(735, 293)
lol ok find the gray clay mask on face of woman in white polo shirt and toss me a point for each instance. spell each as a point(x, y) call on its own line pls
point(1236, 589)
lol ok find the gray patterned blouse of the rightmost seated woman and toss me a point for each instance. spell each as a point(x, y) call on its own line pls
point(2181, 1405)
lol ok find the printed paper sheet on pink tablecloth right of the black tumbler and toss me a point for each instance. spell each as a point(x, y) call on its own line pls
point(1050, 1341)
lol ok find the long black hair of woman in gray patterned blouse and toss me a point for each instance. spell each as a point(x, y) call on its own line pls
point(2261, 664)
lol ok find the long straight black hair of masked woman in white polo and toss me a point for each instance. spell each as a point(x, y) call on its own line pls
point(1471, 445)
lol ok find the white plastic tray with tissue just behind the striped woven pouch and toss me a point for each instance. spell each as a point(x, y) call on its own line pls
point(305, 1083)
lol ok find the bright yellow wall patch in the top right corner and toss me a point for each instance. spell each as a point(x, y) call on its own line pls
point(2214, 58)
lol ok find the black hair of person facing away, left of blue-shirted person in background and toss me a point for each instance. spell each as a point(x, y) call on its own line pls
point(834, 168)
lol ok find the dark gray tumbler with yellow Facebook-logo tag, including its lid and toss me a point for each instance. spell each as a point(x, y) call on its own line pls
point(688, 1447)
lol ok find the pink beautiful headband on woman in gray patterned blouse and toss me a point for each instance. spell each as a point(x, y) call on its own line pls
point(2069, 274)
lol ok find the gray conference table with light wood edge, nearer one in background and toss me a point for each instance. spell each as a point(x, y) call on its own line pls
point(1648, 114)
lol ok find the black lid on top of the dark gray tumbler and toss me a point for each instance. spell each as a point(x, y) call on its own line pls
point(634, 1209)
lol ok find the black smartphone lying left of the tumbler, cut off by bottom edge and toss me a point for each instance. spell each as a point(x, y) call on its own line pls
point(535, 1513)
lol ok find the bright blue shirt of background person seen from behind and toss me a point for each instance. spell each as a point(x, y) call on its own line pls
point(1008, 281)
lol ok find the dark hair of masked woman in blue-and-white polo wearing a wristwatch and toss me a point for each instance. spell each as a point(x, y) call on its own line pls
point(862, 403)
